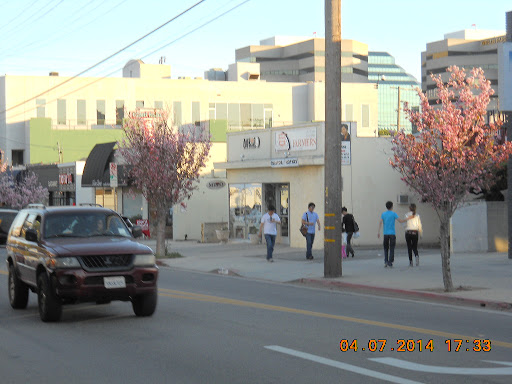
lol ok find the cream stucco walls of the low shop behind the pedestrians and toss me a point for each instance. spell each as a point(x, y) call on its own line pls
point(368, 182)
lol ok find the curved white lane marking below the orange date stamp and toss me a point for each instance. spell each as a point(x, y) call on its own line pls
point(444, 370)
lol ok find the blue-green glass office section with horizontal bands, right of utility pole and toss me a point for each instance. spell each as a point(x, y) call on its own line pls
point(395, 87)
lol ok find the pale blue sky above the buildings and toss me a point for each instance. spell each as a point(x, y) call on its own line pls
point(72, 36)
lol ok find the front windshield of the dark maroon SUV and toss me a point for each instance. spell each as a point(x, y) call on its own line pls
point(83, 224)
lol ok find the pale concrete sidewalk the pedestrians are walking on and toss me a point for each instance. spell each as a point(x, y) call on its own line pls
point(481, 279)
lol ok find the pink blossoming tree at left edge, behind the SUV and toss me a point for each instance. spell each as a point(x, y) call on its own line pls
point(17, 194)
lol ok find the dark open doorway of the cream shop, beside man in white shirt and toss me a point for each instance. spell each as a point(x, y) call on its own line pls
point(279, 196)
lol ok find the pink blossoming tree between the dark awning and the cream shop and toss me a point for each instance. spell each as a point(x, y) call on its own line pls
point(166, 163)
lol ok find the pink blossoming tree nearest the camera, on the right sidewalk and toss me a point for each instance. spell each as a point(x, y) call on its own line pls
point(455, 151)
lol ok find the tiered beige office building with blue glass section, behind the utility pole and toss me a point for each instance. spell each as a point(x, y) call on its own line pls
point(302, 59)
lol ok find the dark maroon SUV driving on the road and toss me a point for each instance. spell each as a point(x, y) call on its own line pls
point(78, 254)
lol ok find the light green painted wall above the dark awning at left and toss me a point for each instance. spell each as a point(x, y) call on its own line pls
point(75, 144)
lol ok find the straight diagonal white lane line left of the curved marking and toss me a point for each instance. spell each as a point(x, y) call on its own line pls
point(340, 365)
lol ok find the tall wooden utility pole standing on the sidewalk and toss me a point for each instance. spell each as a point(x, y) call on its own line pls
point(332, 155)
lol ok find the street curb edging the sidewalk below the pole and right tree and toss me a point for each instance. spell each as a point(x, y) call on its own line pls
point(422, 294)
